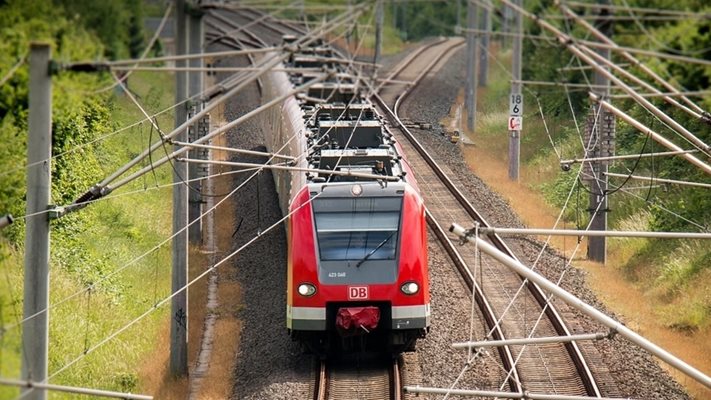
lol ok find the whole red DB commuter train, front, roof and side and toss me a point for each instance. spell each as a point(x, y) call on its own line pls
point(357, 236)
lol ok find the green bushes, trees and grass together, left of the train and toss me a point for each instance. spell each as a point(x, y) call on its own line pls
point(90, 247)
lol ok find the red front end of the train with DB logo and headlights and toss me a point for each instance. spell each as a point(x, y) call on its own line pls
point(357, 268)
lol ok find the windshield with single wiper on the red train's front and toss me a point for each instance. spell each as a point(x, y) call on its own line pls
point(357, 229)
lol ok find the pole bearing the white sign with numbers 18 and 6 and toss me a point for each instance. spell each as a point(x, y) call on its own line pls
point(516, 100)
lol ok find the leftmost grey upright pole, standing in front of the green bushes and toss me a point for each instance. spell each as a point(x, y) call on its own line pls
point(35, 332)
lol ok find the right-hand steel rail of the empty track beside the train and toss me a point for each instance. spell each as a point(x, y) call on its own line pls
point(573, 350)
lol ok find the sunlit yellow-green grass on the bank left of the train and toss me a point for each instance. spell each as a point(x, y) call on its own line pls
point(111, 233)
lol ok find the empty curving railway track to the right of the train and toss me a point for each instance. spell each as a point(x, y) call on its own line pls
point(553, 369)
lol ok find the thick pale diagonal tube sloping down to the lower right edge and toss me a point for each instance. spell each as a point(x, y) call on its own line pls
point(583, 307)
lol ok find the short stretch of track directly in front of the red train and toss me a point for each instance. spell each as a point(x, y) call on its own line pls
point(358, 380)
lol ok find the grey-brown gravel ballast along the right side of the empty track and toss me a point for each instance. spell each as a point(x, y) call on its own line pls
point(632, 372)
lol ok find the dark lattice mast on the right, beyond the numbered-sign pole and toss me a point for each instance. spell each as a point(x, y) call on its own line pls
point(603, 141)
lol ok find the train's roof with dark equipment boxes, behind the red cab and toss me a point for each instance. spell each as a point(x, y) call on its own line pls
point(345, 133)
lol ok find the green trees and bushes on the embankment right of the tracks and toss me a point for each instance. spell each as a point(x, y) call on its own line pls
point(668, 270)
